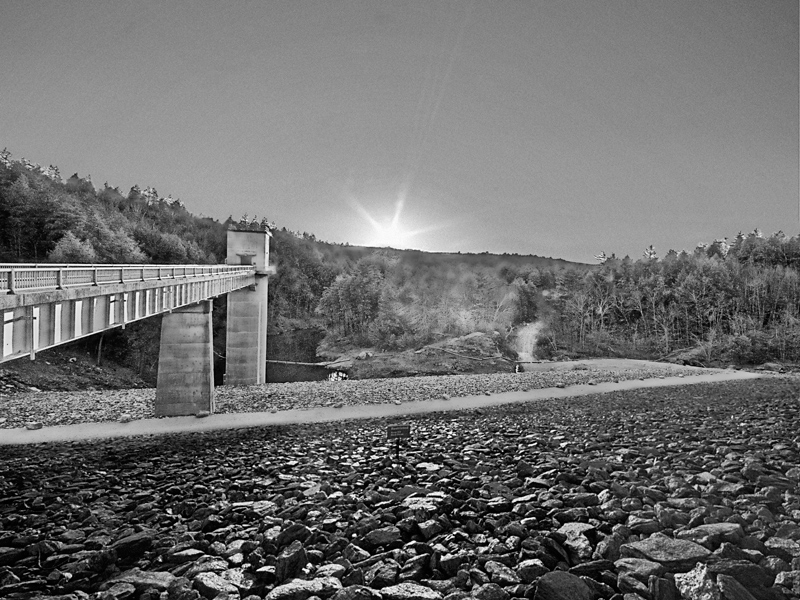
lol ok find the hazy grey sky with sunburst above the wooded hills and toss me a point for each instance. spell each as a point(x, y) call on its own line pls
point(559, 127)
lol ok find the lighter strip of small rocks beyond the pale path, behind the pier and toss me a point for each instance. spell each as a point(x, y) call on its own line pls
point(65, 408)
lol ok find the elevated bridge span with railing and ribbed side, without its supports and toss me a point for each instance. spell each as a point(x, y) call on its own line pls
point(52, 304)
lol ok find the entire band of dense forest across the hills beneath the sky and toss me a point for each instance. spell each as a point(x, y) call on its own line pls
point(736, 300)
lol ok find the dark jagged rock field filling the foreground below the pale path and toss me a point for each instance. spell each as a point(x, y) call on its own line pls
point(659, 494)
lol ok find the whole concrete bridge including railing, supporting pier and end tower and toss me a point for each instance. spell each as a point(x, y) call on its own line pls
point(48, 305)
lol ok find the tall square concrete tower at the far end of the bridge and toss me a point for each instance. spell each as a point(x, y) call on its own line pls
point(246, 345)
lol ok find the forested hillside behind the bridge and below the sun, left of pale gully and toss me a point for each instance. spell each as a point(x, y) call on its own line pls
point(407, 297)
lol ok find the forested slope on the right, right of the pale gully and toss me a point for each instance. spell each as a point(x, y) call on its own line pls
point(730, 301)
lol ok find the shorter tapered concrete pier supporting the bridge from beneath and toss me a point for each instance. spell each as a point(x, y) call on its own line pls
point(186, 362)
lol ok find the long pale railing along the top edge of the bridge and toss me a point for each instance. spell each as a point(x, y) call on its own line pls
point(23, 277)
